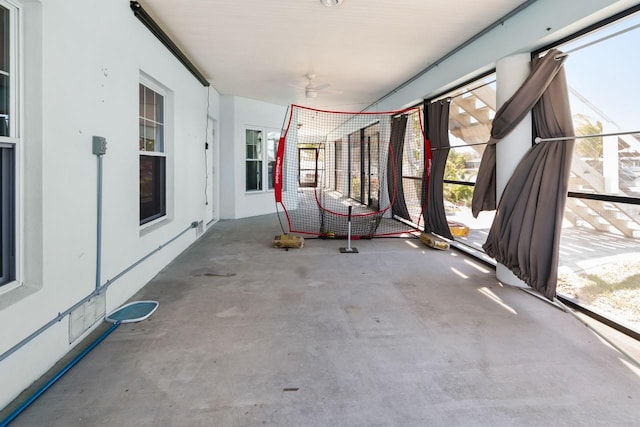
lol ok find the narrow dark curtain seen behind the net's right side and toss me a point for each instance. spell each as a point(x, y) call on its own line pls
point(394, 167)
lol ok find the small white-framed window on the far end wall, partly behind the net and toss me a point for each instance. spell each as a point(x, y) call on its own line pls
point(260, 157)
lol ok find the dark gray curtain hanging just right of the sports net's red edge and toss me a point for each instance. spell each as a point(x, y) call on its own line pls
point(437, 128)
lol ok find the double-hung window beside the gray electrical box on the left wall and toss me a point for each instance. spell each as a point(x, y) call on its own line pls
point(153, 156)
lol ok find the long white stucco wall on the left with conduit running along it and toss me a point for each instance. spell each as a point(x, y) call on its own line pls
point(80, 74)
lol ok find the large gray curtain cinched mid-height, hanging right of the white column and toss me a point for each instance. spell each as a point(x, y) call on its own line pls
point(525, 233)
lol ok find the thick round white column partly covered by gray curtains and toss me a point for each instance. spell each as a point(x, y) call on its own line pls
point(511, 72)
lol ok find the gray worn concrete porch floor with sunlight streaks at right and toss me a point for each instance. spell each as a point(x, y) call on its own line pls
point(397, 335)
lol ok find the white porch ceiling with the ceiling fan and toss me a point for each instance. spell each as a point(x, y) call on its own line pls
point(262, 49)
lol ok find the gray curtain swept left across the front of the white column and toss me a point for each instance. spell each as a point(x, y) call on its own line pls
point(506, 119)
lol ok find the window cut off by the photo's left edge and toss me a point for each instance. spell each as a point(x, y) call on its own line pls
point(9, 143)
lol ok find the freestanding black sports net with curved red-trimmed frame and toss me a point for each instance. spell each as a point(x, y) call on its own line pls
point(373, 162)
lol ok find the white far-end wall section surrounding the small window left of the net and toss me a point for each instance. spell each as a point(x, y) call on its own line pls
point(239, 114)
